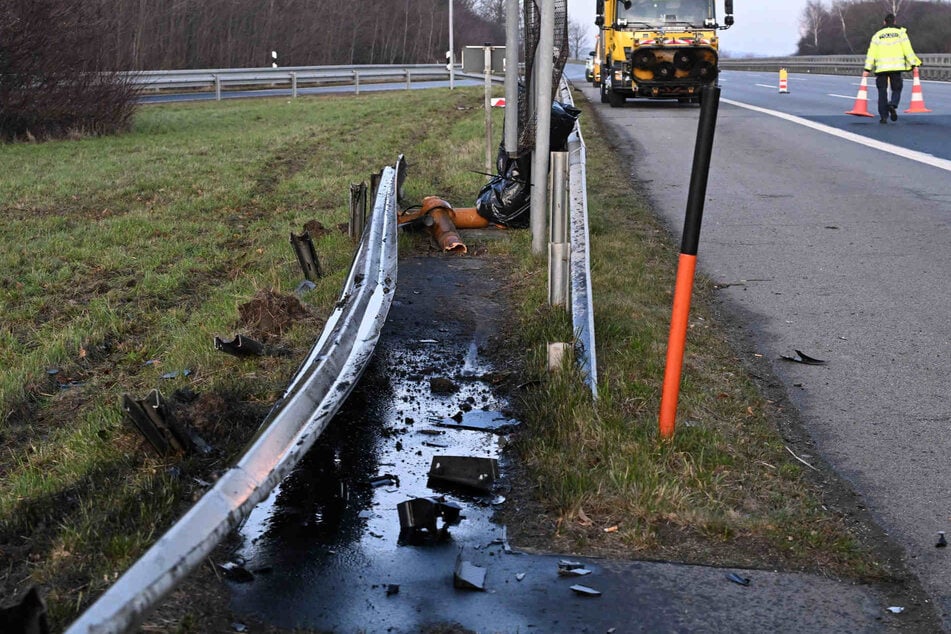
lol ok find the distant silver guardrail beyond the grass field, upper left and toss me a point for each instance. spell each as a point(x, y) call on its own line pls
point(290, 77)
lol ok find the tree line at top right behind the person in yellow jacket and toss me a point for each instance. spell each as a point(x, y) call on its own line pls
point(844, 27)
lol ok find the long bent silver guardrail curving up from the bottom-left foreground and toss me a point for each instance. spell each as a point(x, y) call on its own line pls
point(316, 392)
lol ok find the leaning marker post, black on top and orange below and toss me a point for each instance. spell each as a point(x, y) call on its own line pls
point(709, 103)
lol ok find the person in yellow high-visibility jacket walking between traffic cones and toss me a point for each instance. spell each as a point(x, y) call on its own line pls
point(889, 54)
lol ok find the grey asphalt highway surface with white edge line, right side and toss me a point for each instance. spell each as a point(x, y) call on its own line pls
point(830, 234)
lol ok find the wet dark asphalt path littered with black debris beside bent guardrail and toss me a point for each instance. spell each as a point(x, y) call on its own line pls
point(326, 552)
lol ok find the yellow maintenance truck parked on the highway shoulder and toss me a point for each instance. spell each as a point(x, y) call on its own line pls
point(658, 49)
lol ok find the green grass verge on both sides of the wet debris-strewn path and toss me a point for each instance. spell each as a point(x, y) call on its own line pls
point(122, 257)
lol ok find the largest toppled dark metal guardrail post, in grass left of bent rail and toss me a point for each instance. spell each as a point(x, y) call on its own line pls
point(153, 419)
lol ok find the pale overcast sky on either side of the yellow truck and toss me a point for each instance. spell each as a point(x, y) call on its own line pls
point(763, 27)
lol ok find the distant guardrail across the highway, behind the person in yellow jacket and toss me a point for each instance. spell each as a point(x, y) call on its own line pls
point(933, 67)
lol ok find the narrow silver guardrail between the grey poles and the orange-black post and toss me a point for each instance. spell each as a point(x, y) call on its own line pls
point(582, 310)
